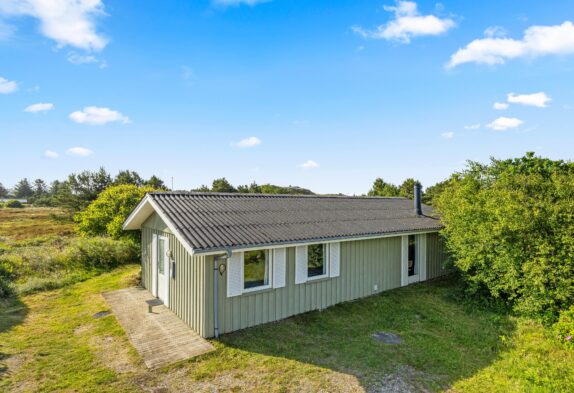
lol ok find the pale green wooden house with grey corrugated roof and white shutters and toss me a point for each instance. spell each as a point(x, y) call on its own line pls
point(224, 262)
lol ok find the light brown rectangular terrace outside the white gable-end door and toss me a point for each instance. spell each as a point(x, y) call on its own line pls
point(160, 337)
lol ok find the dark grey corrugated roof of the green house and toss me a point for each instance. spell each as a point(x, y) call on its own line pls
point(213, 221)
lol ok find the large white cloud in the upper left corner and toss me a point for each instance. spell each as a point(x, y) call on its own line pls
point(68, 22)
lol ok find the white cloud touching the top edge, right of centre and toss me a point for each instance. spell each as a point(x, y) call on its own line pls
point(408, 23)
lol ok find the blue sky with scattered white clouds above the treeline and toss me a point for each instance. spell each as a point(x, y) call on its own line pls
point(327, 95)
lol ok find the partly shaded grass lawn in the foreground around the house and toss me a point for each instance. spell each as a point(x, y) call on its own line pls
point(51, 341)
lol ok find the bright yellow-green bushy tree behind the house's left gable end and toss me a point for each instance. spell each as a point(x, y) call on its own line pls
point(106, 215)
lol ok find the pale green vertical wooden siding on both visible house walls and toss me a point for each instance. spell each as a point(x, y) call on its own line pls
point(364, 264)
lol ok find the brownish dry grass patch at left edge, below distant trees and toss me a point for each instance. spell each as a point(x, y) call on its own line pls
point(33, 222)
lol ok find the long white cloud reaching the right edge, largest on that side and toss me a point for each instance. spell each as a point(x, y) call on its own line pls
point(537, 41)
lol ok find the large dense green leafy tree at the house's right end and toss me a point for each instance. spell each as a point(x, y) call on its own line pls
point(510, 229)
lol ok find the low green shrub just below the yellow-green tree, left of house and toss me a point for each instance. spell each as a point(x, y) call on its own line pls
point(101, 253)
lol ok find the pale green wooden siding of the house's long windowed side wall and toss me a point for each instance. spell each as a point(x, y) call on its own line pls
point(363, 264)
